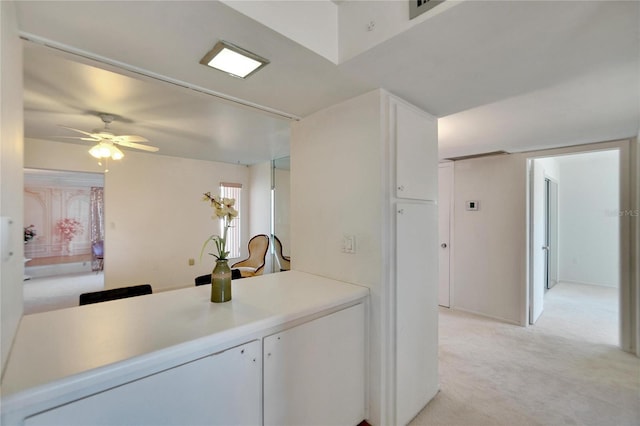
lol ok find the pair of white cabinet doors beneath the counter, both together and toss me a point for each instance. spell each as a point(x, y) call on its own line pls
point(313, 373)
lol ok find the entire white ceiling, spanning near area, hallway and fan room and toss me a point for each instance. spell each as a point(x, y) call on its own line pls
point(503, 75)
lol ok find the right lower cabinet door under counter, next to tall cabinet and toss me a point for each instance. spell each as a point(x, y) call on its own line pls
point(314, 373)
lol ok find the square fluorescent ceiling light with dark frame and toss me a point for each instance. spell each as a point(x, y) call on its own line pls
point(233, 60)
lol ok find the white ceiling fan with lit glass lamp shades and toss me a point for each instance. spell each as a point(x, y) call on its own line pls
point(106, 140)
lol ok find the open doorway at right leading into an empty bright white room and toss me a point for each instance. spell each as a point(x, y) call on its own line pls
point(575, 231)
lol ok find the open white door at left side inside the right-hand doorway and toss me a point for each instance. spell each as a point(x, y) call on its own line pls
point(538, 242)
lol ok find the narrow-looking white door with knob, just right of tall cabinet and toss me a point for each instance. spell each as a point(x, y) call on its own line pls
point(445, 189)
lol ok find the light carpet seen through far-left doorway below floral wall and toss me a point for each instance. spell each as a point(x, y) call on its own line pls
point(51, 293)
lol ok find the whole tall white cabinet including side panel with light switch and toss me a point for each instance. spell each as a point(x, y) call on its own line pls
point(365, 171)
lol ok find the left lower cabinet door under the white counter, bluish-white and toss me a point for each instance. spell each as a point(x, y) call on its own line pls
point(220, 389)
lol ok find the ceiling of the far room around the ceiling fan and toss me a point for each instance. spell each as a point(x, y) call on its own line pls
point(181, 122)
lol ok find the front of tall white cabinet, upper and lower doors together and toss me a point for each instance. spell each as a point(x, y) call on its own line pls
point(413, 135)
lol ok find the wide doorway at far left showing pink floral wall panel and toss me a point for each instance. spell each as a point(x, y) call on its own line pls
point(64, 228)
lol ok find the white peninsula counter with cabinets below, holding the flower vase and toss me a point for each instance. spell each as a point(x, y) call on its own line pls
point(288, 349)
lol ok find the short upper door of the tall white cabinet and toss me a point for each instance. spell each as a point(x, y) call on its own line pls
point(416, 140)
